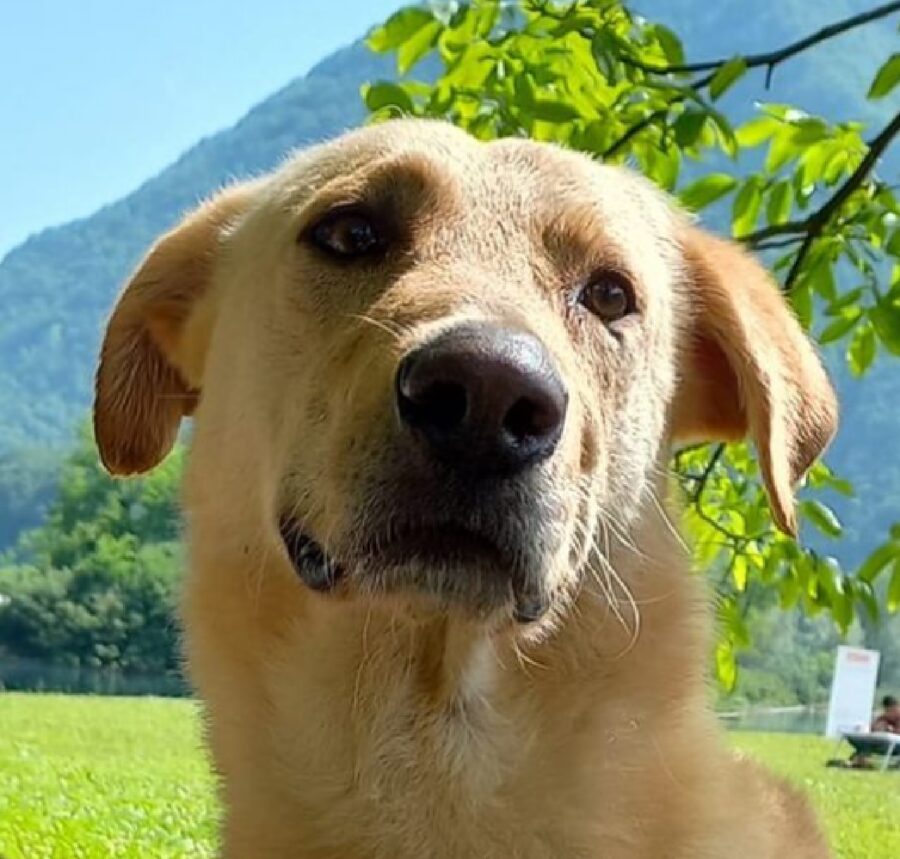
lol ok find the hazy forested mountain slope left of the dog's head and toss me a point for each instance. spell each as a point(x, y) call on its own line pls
point(58, 286)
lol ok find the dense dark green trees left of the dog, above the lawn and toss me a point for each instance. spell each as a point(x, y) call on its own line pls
point(94, 585)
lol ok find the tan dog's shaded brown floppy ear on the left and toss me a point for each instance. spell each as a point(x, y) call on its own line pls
point(154, 350)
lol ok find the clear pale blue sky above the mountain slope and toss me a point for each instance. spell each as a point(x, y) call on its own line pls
point(98, 95)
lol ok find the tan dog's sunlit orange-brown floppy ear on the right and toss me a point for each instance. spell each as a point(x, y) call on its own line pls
point(747, 368)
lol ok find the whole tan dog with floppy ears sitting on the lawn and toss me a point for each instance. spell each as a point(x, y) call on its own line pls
point(435, 608)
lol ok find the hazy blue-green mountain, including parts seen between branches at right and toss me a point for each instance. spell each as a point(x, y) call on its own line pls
point(58, 286)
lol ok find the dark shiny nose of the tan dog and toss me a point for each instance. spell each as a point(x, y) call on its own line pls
point(483, 398)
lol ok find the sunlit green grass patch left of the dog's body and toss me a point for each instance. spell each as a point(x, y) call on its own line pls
point(85, 777)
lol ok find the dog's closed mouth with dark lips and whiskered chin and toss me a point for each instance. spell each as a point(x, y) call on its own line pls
point(456, 564)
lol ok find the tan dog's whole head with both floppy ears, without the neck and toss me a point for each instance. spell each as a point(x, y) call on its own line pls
point(431, 368)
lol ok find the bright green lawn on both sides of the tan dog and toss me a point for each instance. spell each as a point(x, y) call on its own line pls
point(123, 777)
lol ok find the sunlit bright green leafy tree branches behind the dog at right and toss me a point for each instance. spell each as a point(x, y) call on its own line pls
point(804, 192)
